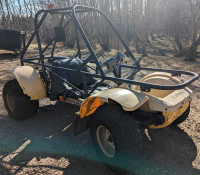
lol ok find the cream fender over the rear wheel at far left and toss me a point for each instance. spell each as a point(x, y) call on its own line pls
point(30, 81)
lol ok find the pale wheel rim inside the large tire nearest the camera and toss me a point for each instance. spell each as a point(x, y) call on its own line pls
point(106, 141)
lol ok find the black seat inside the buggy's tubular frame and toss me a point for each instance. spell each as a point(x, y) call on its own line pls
point(75, 78)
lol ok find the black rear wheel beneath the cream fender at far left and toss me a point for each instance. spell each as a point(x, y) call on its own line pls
point(18, 105)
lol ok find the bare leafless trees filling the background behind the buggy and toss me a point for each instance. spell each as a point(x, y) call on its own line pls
point(138, 21)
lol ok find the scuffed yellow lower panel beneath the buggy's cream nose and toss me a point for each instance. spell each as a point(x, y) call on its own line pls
point(170, 117)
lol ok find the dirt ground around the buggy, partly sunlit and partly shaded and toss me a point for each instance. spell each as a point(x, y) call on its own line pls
point(45, 144)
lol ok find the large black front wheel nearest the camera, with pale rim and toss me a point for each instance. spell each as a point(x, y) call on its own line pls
point(118, 140)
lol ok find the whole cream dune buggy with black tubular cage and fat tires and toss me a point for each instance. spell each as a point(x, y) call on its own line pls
point(117, 116)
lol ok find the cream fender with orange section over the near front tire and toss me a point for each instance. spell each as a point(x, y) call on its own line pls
point(130, 100)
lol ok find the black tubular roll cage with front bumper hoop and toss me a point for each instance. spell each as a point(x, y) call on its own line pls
point(72, 13)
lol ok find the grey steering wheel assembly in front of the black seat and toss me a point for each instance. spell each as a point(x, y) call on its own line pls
point(113, 64)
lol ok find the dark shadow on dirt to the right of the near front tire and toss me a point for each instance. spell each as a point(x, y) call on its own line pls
point(171, 151)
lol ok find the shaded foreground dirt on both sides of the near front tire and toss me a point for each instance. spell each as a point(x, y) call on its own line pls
point(31, 146)
